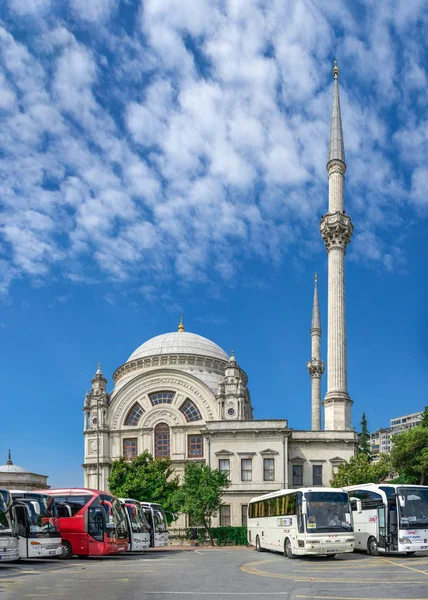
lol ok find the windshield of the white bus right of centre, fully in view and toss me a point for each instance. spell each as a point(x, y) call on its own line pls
point(327, 511)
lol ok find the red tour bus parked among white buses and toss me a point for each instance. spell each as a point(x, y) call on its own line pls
point(92, 522)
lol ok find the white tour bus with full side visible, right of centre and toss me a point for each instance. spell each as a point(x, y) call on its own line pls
point(301, 521)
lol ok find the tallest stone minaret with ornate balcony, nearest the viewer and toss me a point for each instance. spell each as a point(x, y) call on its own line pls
point(336, 230)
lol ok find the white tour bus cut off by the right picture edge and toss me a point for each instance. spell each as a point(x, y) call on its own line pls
point(390, 517)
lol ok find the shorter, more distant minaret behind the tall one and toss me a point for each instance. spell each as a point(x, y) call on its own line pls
point(315, 365)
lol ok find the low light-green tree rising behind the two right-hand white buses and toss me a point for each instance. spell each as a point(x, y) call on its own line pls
point(360, 469)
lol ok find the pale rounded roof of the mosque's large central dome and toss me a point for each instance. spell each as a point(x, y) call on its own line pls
point(179, 342)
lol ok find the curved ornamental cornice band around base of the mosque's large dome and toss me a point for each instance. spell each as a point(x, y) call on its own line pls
point(170, 360)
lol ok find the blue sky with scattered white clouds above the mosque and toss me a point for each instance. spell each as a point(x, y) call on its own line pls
point(160, 158)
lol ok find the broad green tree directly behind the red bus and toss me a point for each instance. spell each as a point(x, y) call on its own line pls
point(146, 479)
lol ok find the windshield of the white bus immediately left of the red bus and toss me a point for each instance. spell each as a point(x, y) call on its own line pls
point(40, 515)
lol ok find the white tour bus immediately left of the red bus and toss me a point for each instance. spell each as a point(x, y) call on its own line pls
point(37, 524)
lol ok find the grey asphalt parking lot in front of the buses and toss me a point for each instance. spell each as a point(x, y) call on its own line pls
point(218, 574)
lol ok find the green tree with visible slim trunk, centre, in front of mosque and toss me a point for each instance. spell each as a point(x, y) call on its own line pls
point(200, 494)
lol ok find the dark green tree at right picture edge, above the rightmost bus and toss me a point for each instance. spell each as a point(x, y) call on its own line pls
point(409, 454)
